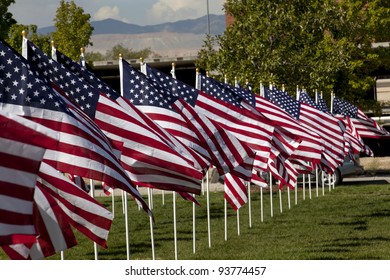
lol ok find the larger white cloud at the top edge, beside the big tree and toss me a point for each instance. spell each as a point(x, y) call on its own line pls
point(173, 10)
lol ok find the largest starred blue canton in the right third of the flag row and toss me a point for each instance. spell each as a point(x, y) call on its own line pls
point(284, 101)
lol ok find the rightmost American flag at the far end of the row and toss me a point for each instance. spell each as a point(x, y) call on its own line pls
point(366, 127)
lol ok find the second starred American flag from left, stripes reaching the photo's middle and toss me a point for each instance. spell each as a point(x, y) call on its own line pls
point(147, 158)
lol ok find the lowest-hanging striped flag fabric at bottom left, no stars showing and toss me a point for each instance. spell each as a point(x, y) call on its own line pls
point(60, 204)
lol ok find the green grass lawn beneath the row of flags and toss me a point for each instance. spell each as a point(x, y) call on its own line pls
point(351, 222)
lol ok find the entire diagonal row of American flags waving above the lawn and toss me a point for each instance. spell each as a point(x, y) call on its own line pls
point(158, 132)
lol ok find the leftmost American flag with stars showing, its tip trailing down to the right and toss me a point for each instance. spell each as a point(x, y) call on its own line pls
point(81, 148)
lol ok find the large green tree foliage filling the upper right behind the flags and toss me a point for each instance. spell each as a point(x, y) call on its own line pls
point(318, 45)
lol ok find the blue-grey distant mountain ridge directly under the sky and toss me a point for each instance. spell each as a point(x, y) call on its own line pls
point(195, 26)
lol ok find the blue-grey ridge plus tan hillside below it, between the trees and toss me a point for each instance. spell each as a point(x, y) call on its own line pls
point(171, 39)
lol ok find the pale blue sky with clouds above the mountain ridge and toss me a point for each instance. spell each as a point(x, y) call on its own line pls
point(141, 12)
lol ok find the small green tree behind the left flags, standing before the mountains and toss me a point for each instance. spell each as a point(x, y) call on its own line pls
point(73, 29)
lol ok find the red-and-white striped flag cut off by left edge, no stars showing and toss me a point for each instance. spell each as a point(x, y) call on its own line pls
point(22, 148)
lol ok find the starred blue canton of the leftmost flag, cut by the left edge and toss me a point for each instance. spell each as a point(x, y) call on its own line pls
point(21, 84)
